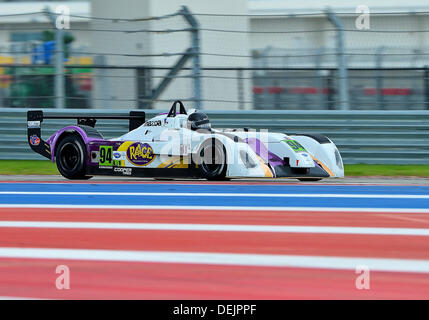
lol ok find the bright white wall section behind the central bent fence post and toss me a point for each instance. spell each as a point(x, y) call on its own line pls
point(213, 89)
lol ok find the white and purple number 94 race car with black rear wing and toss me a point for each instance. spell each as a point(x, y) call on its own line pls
point(181, 144)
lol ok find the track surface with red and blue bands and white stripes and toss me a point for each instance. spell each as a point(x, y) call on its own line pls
point(145, 239)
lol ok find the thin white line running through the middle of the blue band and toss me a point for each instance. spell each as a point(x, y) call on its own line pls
point(180, 194)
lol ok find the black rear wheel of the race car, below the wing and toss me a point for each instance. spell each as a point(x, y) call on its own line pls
point(70, 157)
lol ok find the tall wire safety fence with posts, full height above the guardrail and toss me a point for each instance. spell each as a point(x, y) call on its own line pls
point(223, 62)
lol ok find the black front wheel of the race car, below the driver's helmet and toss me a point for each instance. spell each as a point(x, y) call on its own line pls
point(212, 165)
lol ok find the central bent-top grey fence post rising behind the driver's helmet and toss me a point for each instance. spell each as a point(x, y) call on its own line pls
point(196, 68)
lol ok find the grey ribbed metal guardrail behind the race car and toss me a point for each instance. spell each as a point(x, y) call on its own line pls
point(389, 137)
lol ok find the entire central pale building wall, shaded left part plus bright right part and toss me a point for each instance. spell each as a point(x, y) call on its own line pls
point(150, 43)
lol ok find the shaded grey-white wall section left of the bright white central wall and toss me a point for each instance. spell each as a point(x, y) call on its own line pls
point(117, 88)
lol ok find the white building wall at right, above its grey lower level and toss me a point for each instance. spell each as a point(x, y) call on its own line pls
point(357, 42)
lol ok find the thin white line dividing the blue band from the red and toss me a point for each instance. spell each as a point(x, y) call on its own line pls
point(143, 208)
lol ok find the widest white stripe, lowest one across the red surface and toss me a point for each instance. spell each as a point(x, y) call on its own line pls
point(260, 260)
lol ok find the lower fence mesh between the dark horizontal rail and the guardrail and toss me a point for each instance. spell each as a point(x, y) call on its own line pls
point(30, 86)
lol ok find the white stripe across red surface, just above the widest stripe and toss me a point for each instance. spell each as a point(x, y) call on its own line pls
point(215, 227)
